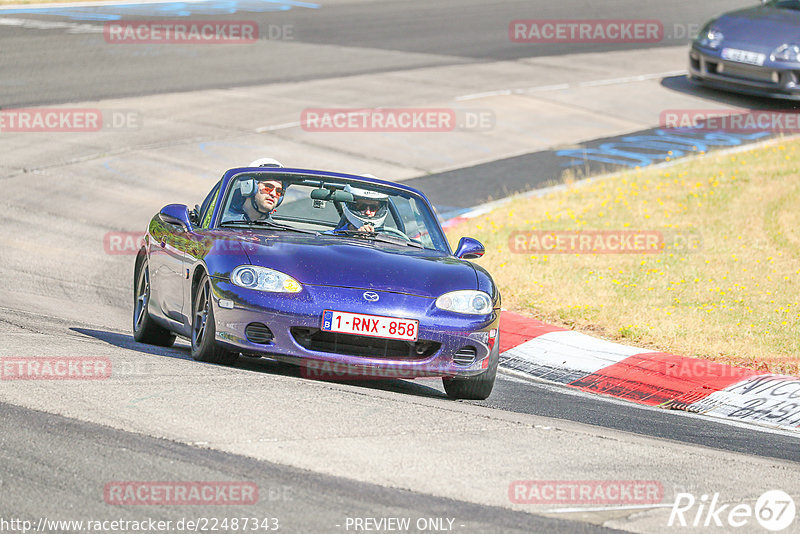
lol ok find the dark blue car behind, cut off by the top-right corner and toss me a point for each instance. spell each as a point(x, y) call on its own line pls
point(754, 51)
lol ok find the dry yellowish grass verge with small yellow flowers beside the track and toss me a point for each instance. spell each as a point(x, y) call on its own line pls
point(726, 286)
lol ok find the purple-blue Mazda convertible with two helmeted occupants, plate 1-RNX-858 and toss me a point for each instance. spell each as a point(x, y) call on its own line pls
point(323, 270)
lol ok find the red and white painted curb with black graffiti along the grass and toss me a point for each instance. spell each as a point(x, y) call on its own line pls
point(580, 361)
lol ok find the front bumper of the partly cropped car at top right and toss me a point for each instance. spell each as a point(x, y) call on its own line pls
point(776, 80)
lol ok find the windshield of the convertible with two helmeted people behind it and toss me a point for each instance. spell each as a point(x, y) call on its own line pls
point(335, 206)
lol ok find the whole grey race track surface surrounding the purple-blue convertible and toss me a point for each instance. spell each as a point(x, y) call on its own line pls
point(322, 453)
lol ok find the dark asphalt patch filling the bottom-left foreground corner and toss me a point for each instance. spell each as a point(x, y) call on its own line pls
point(287, 492)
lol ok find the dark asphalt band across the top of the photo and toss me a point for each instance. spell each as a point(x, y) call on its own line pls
point(340, 38)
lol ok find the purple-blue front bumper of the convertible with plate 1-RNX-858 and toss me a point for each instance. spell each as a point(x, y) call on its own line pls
point(294, 319)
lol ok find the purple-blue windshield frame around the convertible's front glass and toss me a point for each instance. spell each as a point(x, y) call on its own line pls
point(319, 178)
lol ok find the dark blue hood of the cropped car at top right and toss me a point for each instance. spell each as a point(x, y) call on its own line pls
point(763, 28)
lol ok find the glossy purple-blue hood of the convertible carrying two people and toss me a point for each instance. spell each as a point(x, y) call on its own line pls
point(363, 264)
